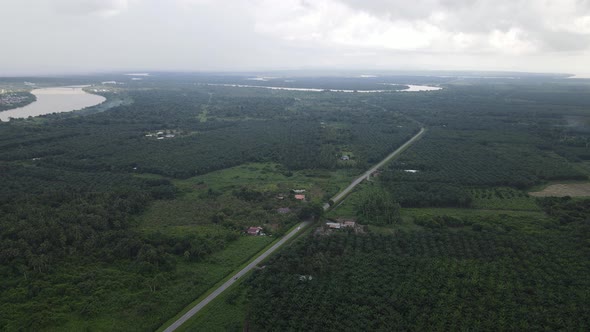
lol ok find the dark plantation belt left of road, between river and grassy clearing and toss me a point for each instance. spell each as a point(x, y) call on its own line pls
point(264, 130)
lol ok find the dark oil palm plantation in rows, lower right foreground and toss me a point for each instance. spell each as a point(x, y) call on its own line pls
point(479, 273)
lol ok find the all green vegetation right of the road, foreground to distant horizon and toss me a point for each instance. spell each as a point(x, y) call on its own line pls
point(438, 268)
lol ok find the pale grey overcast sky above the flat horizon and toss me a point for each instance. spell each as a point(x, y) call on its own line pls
point(71, 36)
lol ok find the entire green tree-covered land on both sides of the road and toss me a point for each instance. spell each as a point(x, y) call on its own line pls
point(119, 216)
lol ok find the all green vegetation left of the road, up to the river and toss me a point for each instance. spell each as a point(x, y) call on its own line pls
point(78, 194)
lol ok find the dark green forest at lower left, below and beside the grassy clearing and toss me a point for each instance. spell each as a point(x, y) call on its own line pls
point(69, 241)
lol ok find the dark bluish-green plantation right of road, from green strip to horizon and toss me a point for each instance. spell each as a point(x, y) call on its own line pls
point(489, 136)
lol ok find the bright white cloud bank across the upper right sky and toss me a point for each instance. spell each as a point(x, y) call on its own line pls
point(510, 27)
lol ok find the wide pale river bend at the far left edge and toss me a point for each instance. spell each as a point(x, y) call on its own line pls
point(54, 100)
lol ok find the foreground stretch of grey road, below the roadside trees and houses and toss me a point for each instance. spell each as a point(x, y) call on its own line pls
point(233, 279)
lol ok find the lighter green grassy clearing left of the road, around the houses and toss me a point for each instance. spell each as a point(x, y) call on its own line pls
point(203, 198)
